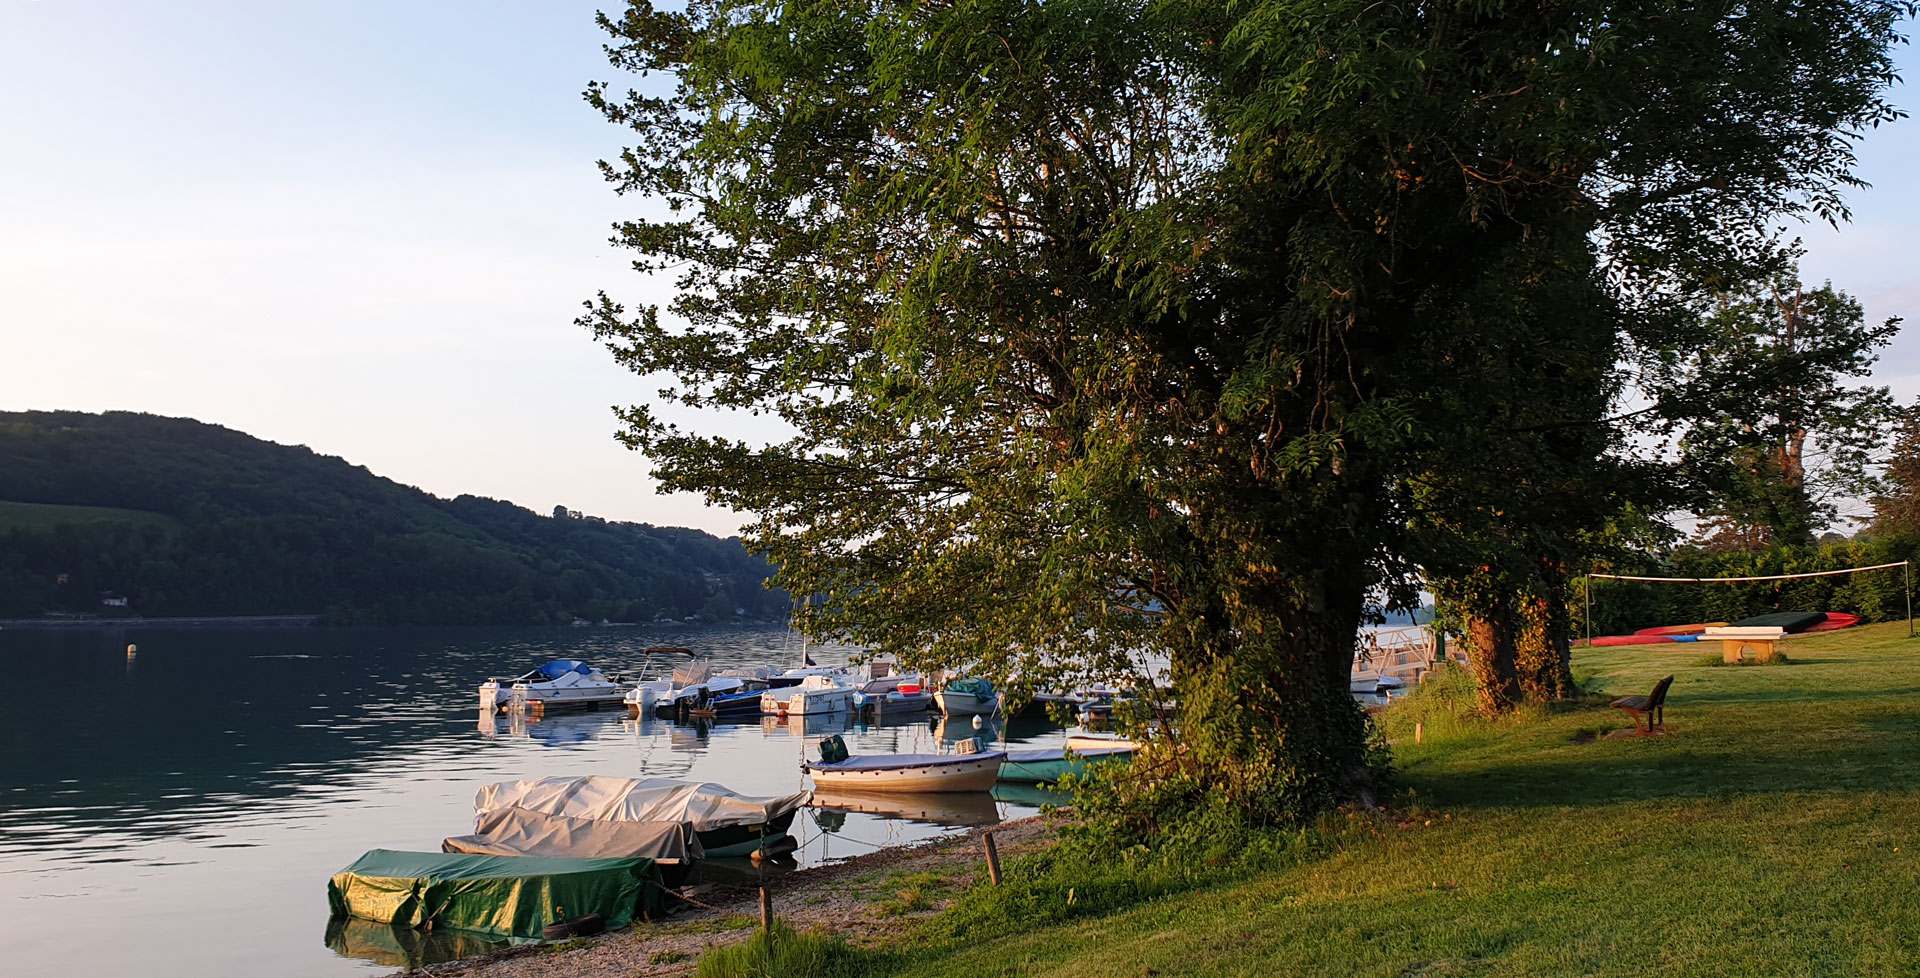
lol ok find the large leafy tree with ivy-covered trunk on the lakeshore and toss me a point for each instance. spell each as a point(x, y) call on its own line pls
point(1107, 328)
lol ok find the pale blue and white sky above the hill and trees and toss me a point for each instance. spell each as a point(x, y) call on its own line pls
point(368, 228)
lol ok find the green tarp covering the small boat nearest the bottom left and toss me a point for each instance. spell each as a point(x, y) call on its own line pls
point(494, 896)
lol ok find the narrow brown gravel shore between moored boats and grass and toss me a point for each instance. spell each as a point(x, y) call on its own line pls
point(865, 900)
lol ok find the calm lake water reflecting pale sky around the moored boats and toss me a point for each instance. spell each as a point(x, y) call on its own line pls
point(180, 812)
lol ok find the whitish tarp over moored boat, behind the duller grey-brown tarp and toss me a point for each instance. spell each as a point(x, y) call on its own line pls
point(723, 821)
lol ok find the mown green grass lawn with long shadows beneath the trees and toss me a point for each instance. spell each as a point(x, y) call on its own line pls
point(1773, 833)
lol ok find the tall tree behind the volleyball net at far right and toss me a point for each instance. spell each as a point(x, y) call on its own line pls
point(1781, 429)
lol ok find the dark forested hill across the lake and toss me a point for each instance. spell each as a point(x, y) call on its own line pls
point(197, 520)
